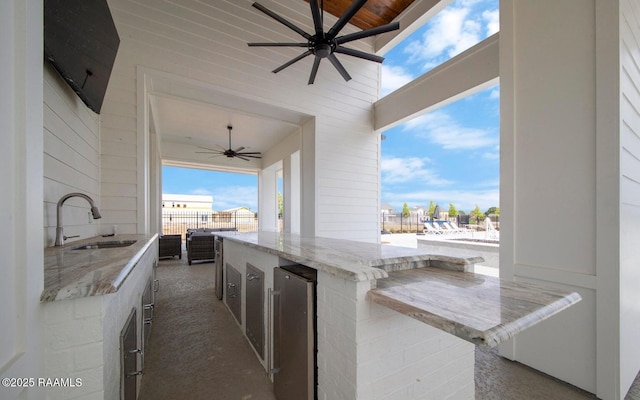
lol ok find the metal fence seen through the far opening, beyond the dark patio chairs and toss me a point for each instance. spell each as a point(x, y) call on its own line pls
point(178, 223)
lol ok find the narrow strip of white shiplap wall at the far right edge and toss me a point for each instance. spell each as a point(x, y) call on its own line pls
point(629, 192)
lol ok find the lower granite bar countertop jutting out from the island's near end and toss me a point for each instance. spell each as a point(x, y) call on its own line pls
point(481, 309)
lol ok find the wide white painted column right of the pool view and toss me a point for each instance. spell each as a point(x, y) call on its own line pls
point(560, 181)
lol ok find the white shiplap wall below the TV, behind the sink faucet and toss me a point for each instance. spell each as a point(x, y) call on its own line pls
point(71, 137)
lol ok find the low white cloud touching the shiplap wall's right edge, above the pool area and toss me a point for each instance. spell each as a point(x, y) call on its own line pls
point(407, 169)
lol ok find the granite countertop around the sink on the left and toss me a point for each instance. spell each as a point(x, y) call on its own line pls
point(70, 273)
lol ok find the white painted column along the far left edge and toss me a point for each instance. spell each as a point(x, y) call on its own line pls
point(21, 206)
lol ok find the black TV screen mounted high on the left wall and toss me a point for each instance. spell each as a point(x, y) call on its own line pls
point(81, 42)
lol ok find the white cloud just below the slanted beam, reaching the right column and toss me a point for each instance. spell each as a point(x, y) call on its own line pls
point(440, 128)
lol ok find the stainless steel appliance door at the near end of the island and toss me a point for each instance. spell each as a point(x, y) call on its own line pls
point(293, 337)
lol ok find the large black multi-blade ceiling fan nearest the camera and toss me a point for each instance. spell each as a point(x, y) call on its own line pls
point(324, 44)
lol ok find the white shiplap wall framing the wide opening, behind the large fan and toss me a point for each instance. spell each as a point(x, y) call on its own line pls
point(207, 42)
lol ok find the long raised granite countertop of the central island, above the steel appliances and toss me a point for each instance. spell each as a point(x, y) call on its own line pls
point(351, 260)
